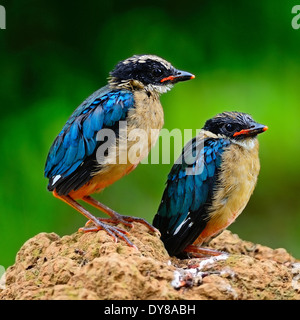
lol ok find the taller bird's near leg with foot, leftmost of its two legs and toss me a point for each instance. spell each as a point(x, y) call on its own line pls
point(114, 232)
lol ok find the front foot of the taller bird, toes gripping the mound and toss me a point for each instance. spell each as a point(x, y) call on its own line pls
point(114, 232)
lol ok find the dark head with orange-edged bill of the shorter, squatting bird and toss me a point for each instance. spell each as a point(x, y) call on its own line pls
point(236, 126)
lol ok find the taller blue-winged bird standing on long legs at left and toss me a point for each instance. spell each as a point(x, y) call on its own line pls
point(74, 167)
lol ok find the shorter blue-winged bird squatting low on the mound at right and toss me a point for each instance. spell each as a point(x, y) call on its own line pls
point(209, 184)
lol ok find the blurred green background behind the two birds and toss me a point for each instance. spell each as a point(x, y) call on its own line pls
point(53, 54)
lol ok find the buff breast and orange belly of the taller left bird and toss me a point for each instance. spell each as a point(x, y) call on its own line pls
point(143, 124)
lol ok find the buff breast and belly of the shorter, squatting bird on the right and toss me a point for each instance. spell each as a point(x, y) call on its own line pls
point(236, 182)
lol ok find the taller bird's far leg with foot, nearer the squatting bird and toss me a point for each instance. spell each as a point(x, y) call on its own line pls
point(116, 217)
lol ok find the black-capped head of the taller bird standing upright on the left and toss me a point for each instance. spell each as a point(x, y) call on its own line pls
point(148, 71)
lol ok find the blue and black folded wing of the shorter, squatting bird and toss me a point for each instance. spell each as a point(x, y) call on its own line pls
point(182, 214)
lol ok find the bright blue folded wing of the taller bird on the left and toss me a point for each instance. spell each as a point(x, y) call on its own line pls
point(76, 143)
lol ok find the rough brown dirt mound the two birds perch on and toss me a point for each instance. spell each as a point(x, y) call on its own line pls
point(92, 266)
